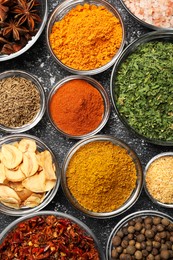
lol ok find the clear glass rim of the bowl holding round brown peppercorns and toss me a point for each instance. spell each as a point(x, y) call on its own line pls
point(124, 222)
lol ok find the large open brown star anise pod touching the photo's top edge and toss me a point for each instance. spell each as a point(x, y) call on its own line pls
point(25, 12)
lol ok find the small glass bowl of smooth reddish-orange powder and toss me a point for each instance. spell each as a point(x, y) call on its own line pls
point(78, 106)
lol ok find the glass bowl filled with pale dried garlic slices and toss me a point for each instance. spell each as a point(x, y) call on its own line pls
point(25, 189)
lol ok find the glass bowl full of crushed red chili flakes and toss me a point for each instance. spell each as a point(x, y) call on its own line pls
point(60, 235)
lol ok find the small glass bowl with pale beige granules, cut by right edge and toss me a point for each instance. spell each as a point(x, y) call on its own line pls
point(158, 172)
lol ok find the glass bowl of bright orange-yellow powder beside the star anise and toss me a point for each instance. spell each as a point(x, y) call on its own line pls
point(85, 37)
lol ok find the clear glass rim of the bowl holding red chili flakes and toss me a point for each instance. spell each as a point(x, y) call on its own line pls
point(58, 215)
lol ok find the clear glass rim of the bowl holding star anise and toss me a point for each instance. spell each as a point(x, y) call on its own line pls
point(43, 13)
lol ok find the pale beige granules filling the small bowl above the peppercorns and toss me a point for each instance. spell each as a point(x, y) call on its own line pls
point(159, 179)
